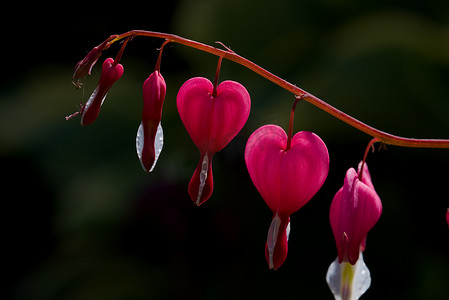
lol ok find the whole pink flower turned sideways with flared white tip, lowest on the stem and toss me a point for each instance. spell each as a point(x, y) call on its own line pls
point(355, 209)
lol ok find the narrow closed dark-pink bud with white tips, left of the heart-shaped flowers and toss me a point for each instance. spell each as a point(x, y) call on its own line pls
point(149, 138)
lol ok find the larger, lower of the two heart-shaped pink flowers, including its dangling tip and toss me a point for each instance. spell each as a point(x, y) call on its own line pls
point(286, 179)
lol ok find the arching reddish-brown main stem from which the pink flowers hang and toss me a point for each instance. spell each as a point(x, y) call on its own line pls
point(383, 137)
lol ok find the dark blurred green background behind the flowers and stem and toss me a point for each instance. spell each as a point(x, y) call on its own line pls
point(81, 220)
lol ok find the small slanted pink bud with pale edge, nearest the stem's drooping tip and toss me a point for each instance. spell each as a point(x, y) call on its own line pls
point(110, 73)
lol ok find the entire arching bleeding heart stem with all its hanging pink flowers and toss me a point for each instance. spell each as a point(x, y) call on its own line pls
point(287, 169)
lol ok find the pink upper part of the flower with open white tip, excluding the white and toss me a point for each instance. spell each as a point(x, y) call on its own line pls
point(355, 209)
